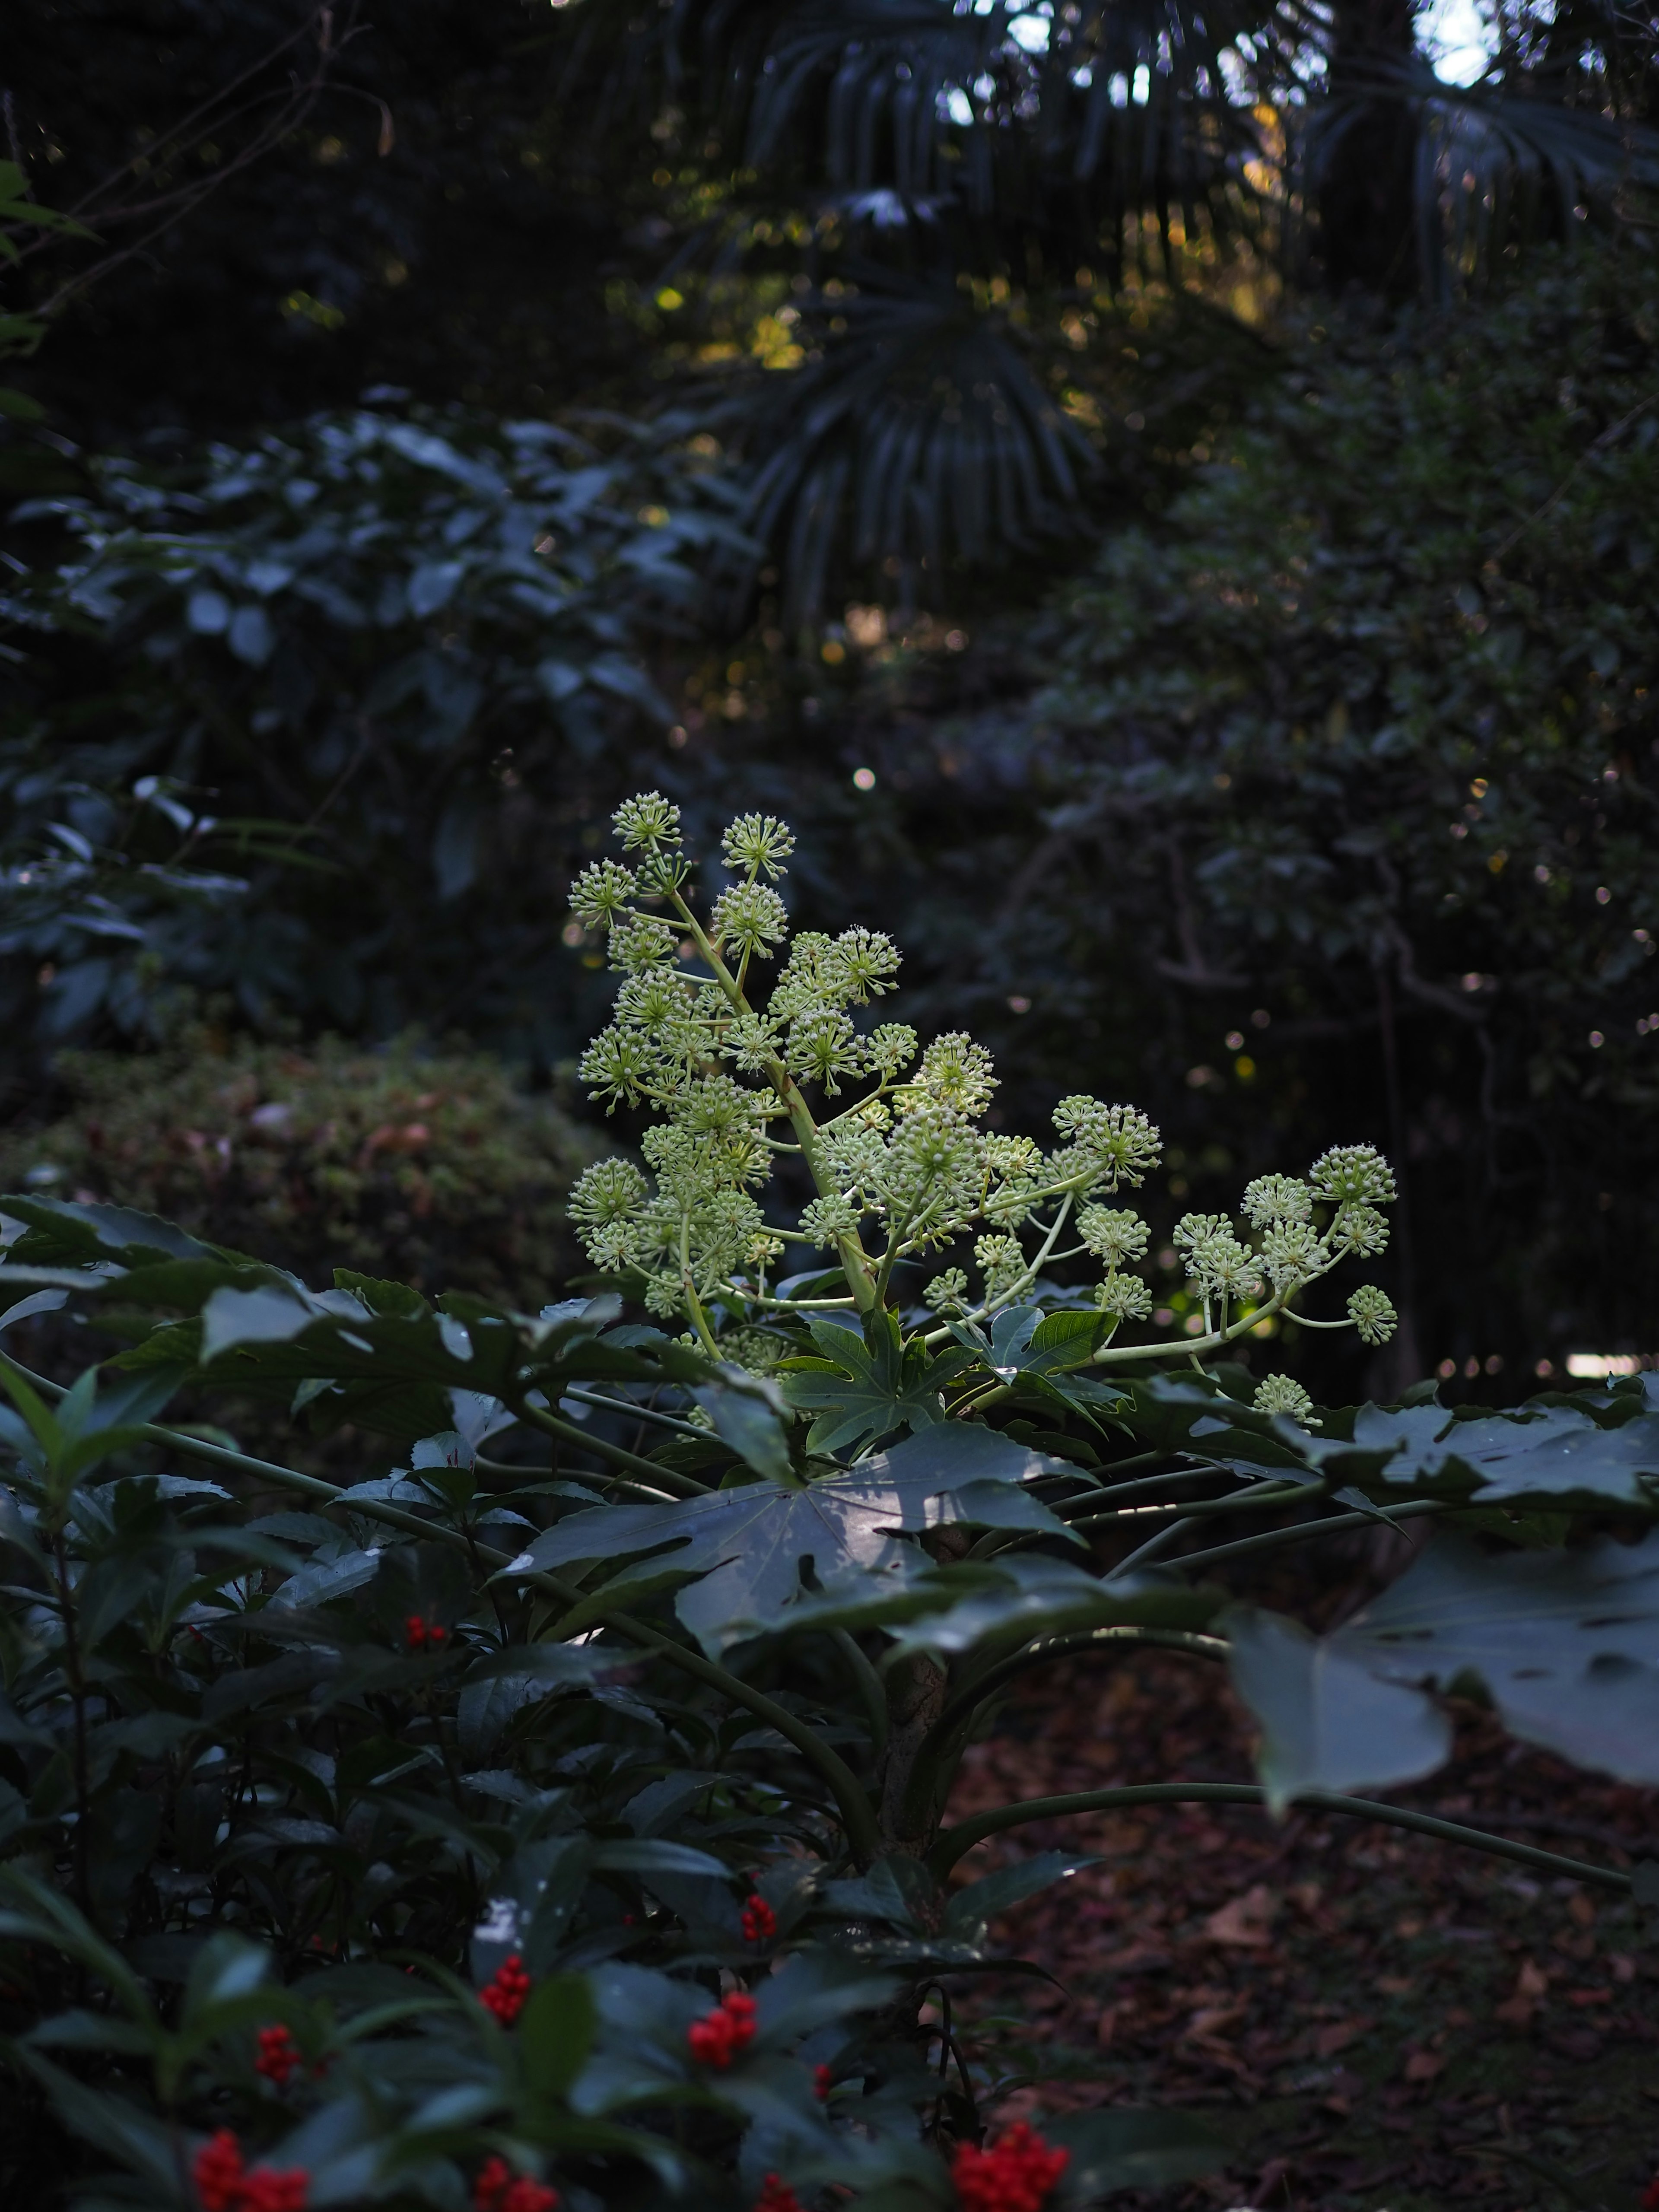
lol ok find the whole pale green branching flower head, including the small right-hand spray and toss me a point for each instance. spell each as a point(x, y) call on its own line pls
point(890, 1134)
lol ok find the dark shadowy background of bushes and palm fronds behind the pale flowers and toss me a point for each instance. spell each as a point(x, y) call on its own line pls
point(1211, 501)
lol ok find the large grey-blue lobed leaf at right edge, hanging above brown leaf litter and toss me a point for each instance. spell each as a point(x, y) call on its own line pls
point(1565, 1645)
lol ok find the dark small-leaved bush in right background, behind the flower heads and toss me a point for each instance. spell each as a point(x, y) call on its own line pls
point(1350, 758)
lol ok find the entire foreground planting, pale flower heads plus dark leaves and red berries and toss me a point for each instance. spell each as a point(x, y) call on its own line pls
point(561, 1808)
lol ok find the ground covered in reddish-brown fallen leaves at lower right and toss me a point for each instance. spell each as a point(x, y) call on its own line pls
point(1375, 2021)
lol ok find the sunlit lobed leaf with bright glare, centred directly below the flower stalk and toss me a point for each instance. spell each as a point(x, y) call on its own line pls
point(751, 1545)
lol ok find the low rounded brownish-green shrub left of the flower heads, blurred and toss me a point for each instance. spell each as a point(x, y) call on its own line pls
point(399, 1162)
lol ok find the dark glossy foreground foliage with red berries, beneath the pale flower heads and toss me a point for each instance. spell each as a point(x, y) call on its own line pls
point(342, 1760)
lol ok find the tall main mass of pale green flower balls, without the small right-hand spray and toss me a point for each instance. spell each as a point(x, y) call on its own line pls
point(901, 1169)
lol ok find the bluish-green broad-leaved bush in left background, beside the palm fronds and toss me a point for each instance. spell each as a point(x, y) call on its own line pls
point(366, 671)
